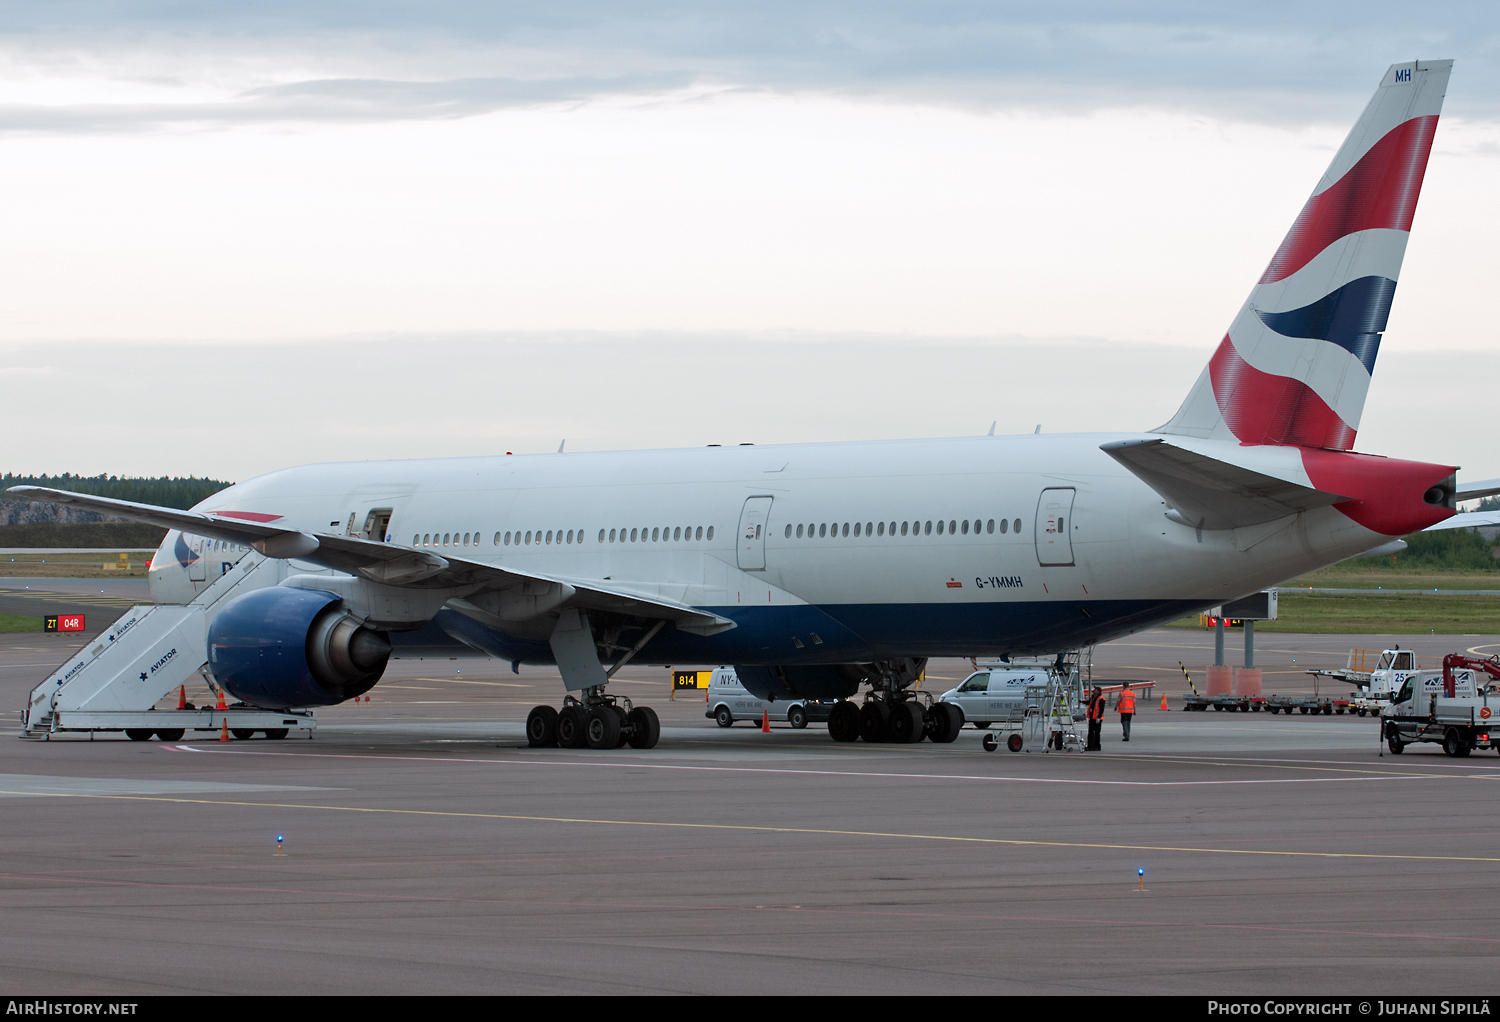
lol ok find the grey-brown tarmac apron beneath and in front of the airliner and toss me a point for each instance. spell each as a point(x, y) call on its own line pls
point(430, 852)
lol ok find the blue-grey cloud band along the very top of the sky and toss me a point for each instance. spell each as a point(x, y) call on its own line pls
point(290, 62)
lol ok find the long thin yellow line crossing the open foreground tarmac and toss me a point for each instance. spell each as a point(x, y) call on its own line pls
point(823, 832)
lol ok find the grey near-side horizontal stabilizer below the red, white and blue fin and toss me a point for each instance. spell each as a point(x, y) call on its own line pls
point(1208, 493)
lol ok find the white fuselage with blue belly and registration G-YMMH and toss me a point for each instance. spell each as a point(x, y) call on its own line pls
point(646, 519)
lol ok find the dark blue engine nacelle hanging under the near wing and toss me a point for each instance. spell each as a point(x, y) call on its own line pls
point(287, 648)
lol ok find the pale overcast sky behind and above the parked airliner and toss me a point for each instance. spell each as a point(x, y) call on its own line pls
point(455, 185)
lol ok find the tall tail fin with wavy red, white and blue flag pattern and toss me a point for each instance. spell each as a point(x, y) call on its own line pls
point(1295, 365)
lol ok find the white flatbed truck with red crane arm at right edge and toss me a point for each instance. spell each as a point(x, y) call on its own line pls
point(1445, 708)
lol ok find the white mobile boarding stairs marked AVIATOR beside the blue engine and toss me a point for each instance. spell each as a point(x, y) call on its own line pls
point(118, 681)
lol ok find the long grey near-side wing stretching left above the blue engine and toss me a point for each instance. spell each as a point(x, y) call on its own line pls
point(386, 564)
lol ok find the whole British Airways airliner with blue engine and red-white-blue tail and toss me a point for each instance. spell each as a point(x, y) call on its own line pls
point(817, 568)
